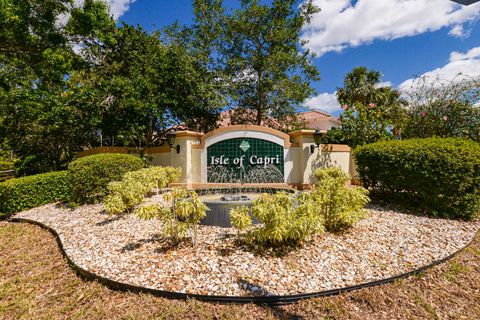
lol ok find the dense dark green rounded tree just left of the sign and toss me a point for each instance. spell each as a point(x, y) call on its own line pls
point(143, 87)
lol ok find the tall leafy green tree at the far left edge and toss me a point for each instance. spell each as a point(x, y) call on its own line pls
point(37, 56)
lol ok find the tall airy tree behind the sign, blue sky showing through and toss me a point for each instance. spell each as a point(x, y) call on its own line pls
point(255, 55)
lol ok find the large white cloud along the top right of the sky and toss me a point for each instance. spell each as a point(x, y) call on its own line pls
point(341, 24)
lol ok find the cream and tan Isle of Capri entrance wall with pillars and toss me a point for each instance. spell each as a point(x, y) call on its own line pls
point(245, 154)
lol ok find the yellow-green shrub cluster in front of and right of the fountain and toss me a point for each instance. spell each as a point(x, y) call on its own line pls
point(286, 219)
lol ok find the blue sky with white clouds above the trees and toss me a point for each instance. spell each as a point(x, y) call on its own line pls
point(400, 38)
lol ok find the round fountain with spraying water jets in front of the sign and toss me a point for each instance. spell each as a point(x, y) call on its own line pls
point(234, 192)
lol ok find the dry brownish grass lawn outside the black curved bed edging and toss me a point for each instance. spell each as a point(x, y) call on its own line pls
point(37, 283)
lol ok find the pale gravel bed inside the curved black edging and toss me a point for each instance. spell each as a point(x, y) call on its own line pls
point(130, 250)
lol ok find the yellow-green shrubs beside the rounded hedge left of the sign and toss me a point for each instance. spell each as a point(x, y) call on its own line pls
point(130, 192)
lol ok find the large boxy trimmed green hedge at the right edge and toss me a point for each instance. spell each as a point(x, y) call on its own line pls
point(439, 176)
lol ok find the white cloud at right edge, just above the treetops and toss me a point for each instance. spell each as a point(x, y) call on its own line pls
point(460, 66)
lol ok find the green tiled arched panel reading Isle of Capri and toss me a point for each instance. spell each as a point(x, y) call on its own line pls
point(245, 160)
